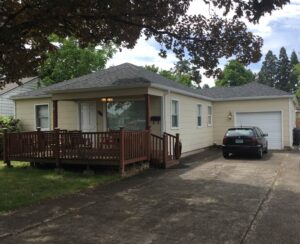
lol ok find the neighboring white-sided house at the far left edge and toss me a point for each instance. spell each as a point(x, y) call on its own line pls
point(7, 105)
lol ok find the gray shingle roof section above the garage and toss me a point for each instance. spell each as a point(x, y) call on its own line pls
point(249, 90)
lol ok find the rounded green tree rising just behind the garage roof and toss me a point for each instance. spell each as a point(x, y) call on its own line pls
point(235, 74)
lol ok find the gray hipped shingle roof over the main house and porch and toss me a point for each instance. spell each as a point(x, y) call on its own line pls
point(124, 75)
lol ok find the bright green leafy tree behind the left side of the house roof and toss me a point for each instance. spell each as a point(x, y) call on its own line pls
point(71, 61)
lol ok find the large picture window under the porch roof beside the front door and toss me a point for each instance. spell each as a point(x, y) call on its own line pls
point(129, 114)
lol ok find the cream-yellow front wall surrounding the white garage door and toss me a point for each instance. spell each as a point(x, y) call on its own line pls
point(222, 123)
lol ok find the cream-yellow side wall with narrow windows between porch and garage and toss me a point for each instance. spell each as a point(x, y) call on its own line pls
point(192, 136)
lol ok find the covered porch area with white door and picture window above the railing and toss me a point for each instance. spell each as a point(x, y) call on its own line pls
point(108, 111)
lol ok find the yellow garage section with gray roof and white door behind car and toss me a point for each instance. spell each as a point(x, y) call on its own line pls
point(254, 104)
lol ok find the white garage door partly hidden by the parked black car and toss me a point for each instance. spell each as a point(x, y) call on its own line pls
point(269, 122)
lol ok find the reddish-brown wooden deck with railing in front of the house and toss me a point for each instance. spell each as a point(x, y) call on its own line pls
point(116, 148)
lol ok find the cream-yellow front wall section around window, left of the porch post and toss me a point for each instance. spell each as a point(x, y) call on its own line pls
point(25, 111)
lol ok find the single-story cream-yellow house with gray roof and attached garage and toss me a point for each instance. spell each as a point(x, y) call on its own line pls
point(132, 97)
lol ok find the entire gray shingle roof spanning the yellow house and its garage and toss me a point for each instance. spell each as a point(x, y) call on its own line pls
point(128, 75)
